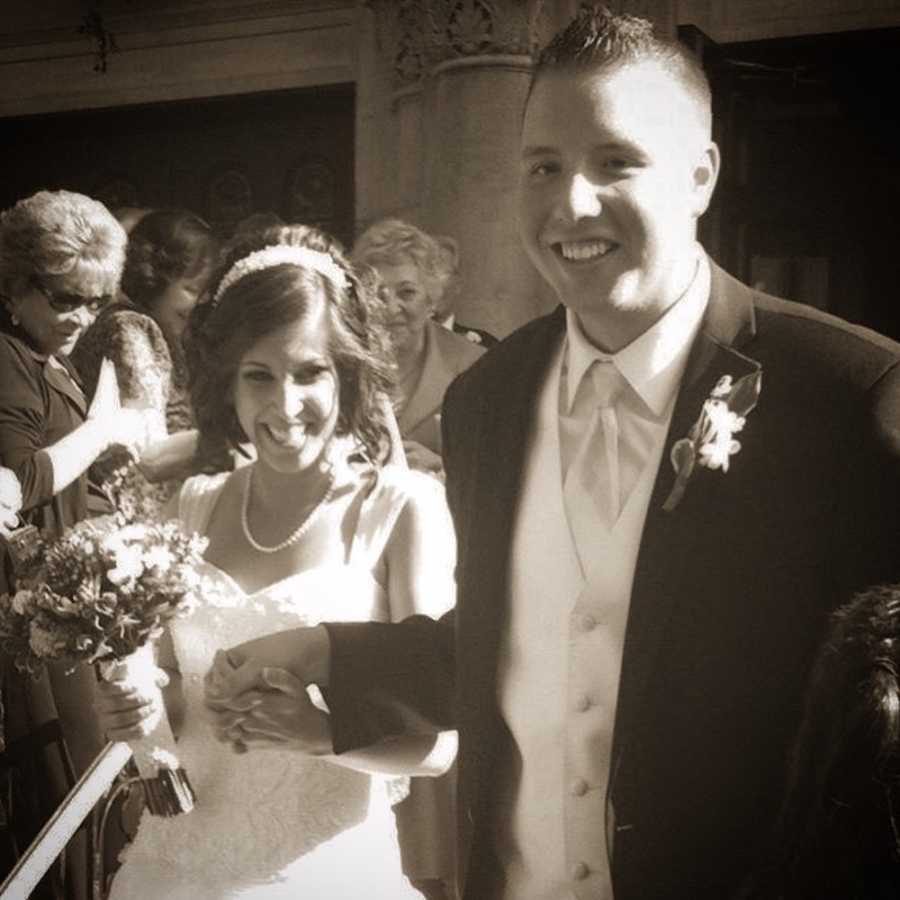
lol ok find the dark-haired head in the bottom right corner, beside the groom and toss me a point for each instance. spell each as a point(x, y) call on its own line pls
point(838, 833)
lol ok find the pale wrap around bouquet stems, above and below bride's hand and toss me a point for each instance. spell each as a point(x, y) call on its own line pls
point(167, 790)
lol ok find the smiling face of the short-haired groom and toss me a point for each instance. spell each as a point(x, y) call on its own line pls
point(616, 167)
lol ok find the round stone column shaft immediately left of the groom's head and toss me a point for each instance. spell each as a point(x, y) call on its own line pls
point(474, 95)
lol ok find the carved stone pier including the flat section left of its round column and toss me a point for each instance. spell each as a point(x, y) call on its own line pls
point(440, 94)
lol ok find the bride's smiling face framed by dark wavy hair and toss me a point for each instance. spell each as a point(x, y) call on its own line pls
point(287, 394)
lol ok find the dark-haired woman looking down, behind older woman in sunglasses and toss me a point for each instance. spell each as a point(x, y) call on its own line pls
point(170, 257)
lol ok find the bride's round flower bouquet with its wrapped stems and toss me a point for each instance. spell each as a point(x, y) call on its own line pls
point(102, 594)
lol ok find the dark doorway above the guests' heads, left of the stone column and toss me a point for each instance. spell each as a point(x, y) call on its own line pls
point(289, 152)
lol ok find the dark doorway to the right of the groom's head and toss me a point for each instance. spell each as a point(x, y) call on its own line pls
point(810, 186)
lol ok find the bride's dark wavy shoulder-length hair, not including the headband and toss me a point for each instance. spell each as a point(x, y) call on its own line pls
point(266, 301)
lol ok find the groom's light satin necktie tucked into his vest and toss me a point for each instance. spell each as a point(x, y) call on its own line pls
point(592, 488)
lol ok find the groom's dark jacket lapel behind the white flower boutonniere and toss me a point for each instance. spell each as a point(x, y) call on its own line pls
point(671, 540)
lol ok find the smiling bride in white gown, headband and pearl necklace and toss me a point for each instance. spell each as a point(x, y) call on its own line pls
point(289, 356)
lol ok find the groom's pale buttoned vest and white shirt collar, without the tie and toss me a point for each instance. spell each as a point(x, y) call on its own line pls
point(560, 658)
